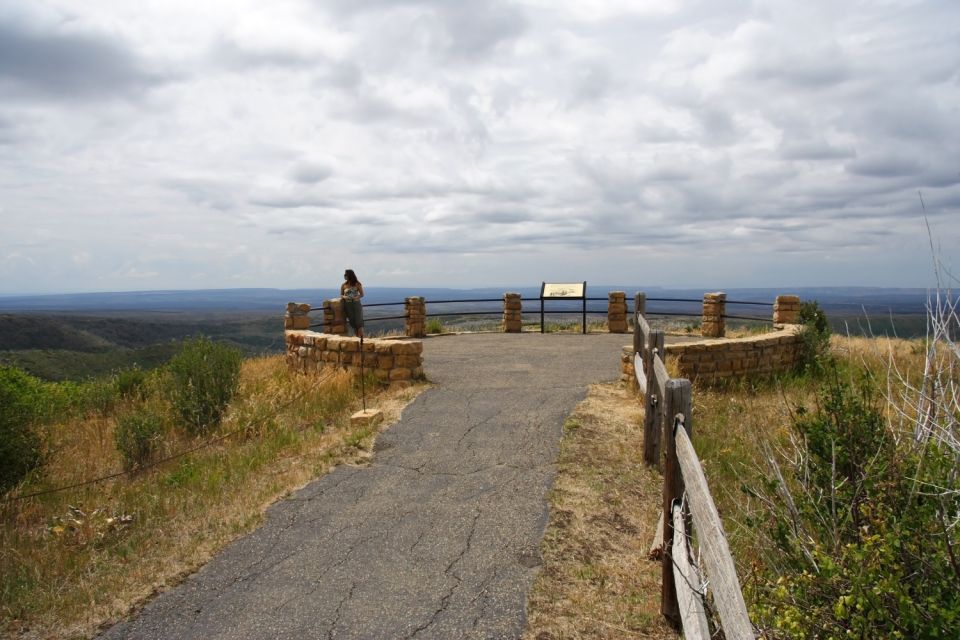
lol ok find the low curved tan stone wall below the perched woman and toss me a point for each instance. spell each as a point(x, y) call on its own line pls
point(393, 361)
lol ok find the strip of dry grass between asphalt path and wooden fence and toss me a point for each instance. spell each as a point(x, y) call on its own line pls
point(596, 581)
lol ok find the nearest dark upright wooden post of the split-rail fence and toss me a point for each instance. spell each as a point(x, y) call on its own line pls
point(678, 404)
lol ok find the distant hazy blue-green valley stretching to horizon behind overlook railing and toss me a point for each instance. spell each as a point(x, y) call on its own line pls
point(73, 336)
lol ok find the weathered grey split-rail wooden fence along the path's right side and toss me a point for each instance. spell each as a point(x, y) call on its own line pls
point(668, 426)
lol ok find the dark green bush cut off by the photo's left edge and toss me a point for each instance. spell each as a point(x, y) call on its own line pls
point(20, 398)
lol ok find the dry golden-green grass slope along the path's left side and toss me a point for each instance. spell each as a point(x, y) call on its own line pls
point(74, 560)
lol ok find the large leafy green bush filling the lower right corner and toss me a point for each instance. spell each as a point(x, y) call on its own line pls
point(860, 543)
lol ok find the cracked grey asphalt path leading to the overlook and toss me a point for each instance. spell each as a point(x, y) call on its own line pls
point(437, 538)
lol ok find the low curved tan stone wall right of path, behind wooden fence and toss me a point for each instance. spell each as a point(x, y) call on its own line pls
point(713, 360)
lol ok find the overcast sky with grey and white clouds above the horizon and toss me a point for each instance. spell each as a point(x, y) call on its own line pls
point(707, 143)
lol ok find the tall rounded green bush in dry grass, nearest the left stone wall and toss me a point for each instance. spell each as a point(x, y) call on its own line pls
point(203, 380)
